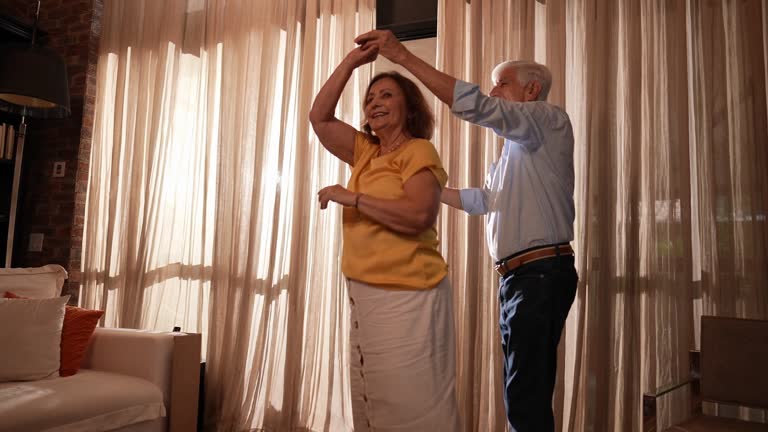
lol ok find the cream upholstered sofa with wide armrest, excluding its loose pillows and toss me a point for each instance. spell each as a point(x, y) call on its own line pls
point(129, 381)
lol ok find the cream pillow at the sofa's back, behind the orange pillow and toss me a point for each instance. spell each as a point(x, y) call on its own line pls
point(33, 282)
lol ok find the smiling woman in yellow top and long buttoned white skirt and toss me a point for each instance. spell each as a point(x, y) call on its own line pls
point(403, 347)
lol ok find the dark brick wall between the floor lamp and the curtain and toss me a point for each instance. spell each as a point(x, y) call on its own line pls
point(52, 206)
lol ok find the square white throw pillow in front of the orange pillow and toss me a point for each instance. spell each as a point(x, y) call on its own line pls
point(30, 338)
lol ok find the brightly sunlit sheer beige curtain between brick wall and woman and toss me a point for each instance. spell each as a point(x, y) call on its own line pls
point(201, 209)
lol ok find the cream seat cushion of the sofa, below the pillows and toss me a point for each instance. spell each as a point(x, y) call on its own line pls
point(89, 401)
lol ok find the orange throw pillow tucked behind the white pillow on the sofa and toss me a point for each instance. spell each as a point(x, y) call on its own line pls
point(76, 332)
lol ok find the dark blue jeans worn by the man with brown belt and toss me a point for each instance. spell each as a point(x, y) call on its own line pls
point(534, 302)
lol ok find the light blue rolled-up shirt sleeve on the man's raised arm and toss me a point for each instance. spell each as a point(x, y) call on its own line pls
point(521, 122)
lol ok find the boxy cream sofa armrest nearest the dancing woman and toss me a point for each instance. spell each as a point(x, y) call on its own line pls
point(169, 360)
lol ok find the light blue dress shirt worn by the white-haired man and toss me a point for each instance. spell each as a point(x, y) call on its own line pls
point(528, 193)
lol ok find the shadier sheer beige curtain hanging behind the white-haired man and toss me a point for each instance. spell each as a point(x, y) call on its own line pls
point(668, 103)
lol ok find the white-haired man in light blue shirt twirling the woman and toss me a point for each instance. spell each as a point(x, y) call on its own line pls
point(528, 202)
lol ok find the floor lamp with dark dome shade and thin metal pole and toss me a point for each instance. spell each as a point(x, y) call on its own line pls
point(33, 83)
